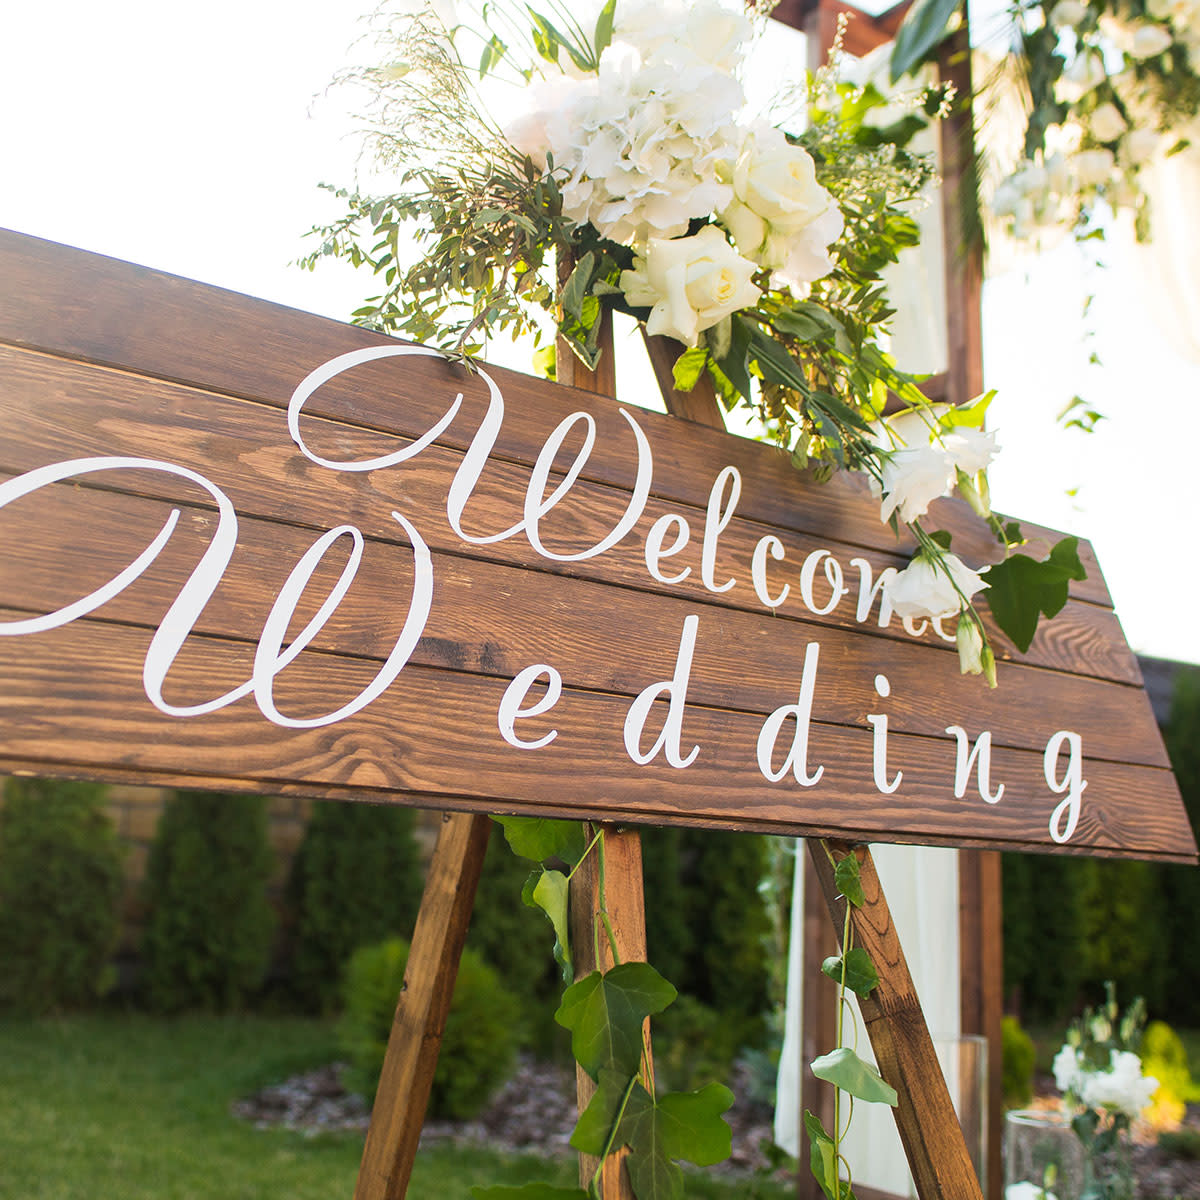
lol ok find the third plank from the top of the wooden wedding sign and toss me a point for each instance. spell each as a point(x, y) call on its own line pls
point(491, 620)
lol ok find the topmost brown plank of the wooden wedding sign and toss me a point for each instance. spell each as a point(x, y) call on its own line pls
point(110, 313)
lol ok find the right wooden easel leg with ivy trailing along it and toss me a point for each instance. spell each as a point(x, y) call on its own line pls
point(896, 1024)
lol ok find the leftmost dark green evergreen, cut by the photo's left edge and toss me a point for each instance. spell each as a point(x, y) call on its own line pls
point(61, 889)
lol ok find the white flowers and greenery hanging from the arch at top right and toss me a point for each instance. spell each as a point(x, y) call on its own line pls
point(1108, 88)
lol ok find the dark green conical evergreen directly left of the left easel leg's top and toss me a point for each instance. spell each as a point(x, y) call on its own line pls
point(356, 880)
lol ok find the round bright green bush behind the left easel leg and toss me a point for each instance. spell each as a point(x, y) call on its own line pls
point(479, 1045)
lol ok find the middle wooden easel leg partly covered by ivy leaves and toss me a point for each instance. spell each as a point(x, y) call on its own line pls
point(626, 902)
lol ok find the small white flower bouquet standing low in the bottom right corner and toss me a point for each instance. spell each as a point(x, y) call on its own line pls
point(1100, 1073)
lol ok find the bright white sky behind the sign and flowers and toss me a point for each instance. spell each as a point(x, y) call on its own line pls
point(193, 141)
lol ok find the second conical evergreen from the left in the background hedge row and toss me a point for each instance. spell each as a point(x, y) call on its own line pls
point(209, 925)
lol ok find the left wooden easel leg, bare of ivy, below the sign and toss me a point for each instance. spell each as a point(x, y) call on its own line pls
point(424, 1003)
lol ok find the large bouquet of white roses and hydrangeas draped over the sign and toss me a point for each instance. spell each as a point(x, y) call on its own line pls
point(628, 173)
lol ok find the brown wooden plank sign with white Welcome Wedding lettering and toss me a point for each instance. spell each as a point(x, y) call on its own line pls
point(250, 549)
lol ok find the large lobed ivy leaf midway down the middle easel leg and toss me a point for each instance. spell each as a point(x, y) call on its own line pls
point(605, 1015)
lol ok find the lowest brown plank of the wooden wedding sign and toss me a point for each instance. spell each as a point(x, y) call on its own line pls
point(434, 734)
